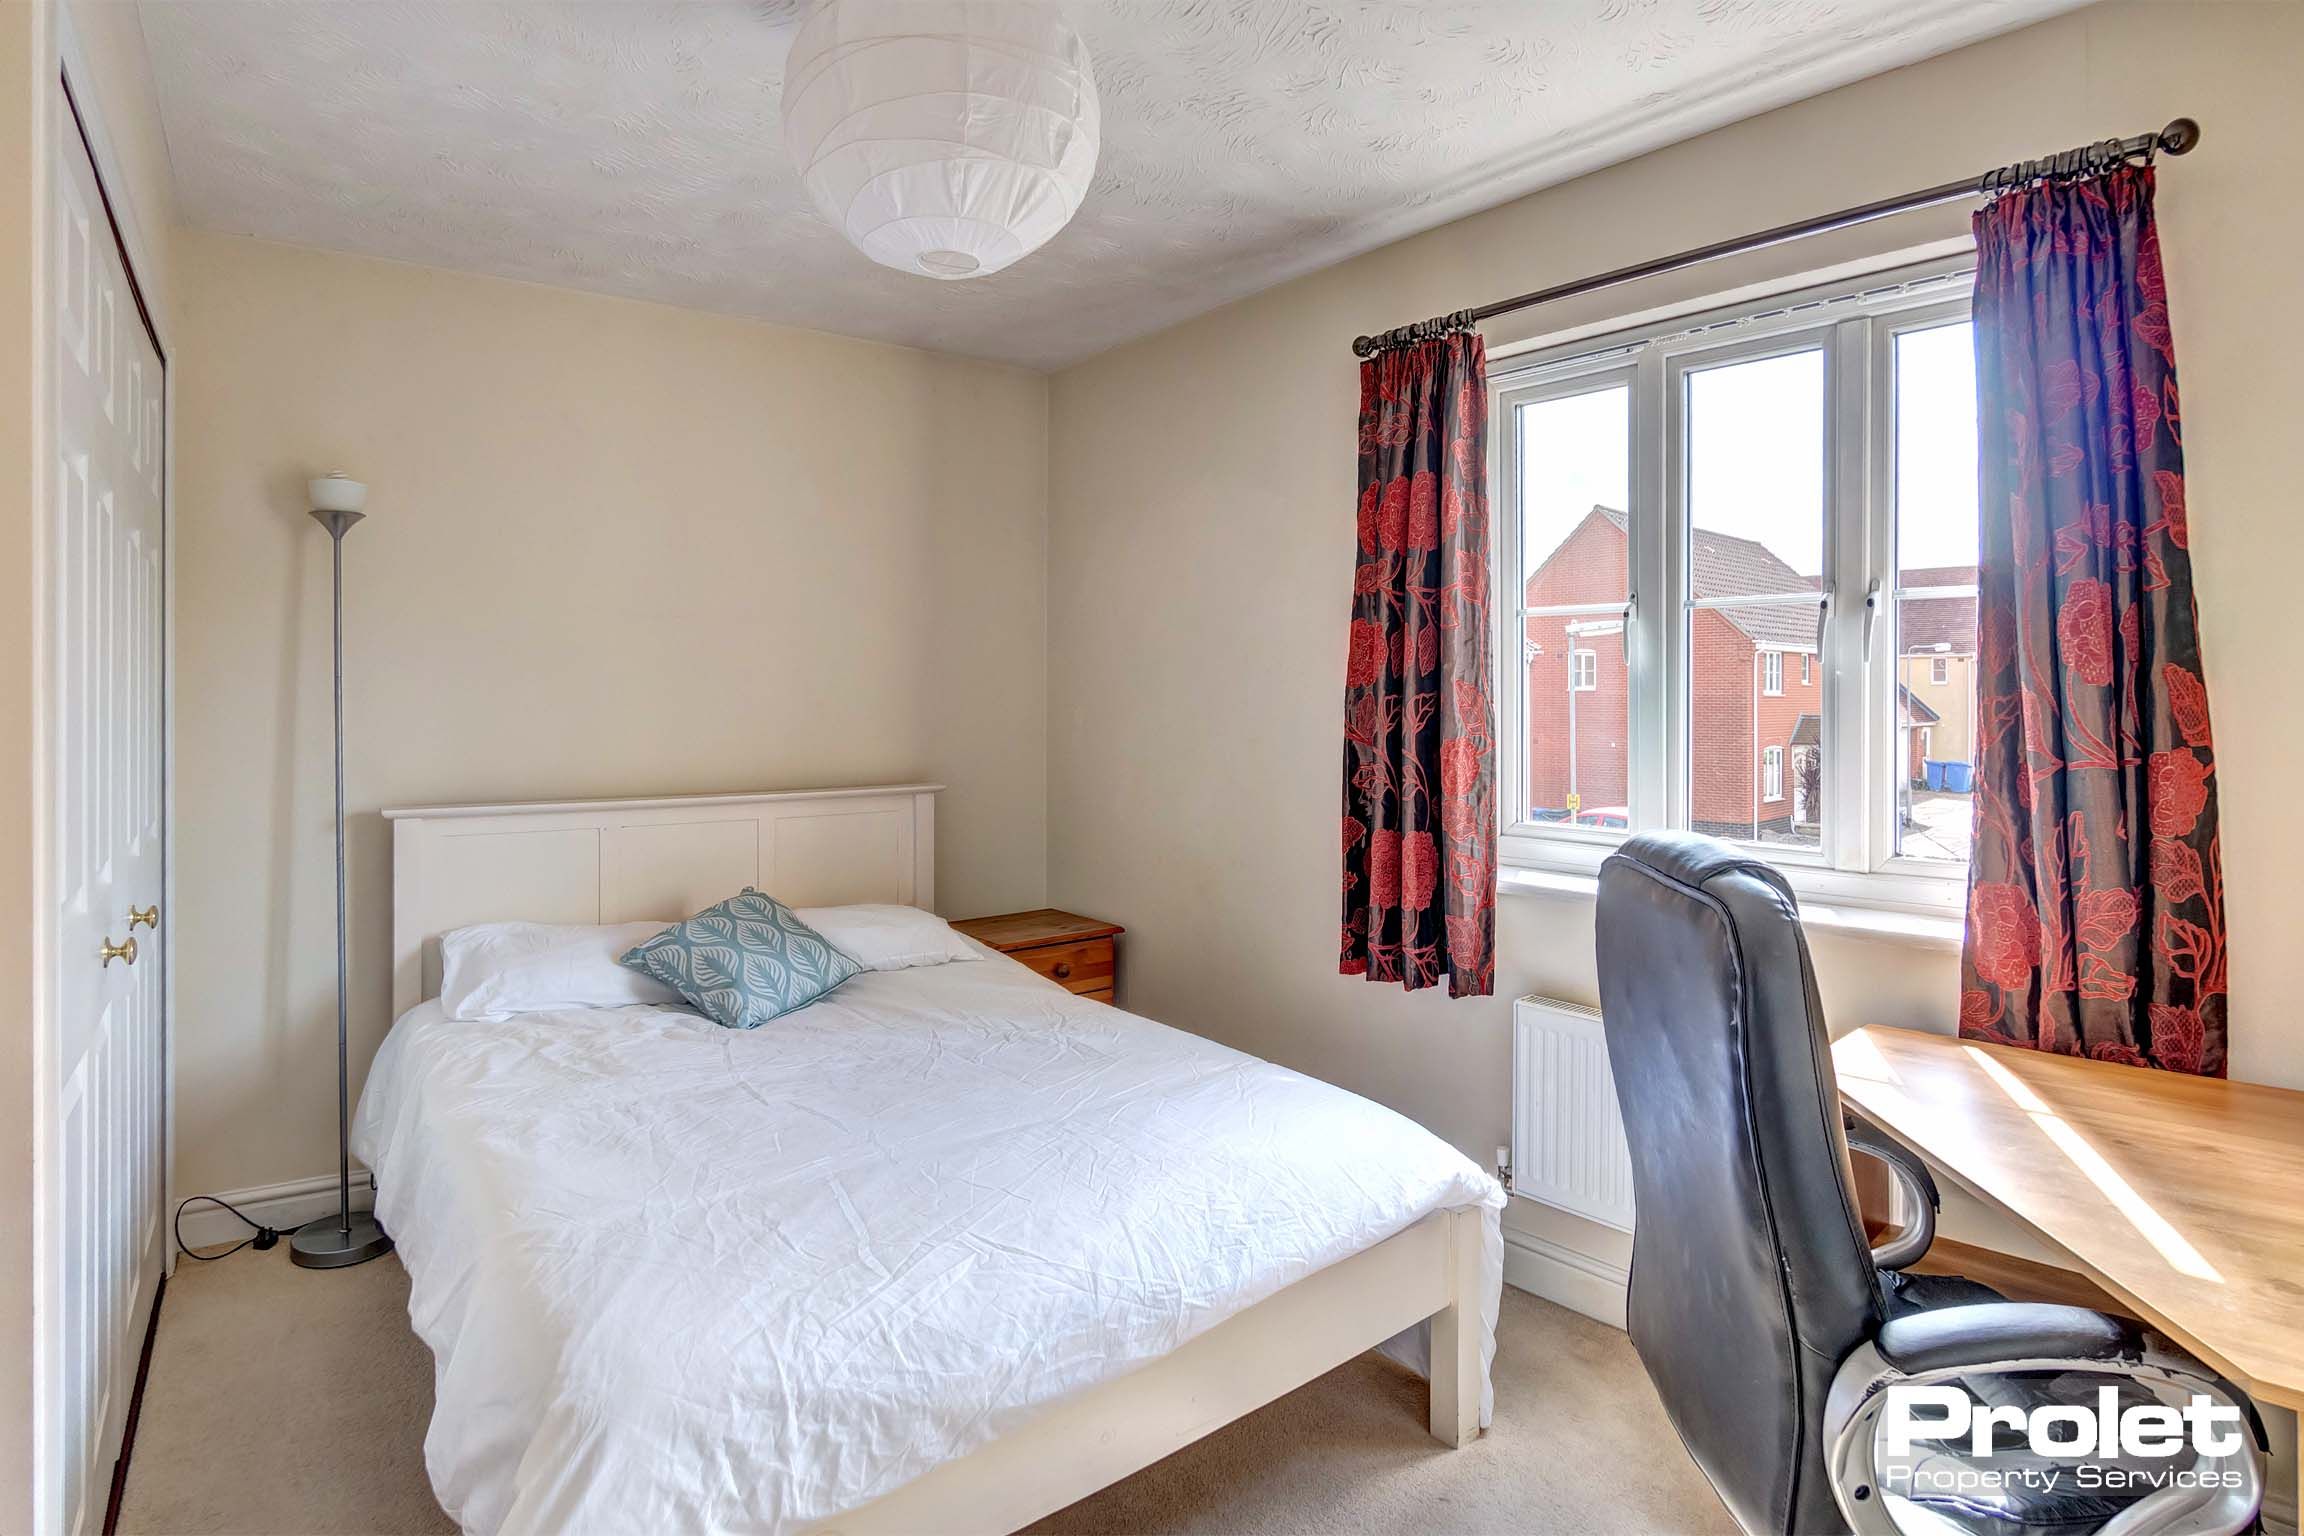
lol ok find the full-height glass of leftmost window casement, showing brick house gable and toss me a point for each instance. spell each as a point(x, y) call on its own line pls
point(1575, 478)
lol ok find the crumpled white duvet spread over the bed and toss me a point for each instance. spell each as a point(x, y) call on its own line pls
point(692, 1279)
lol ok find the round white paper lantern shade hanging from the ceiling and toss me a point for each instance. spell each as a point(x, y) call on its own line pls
point(943, 137)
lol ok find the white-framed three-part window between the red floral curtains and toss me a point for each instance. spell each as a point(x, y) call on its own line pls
point(1681, 508)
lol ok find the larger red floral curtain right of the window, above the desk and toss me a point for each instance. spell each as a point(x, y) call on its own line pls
point(2095, 913)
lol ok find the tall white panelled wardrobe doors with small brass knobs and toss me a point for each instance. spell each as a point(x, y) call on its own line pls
point(107, 1090)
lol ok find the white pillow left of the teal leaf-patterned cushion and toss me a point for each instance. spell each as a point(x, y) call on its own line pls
point(497, 971)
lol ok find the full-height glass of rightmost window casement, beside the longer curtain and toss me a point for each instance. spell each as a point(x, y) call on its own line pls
point(1937, 547)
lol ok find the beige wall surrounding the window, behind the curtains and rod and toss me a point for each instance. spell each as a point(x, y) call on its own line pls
point(1202, 540)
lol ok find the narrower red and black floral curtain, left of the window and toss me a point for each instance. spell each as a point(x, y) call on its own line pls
point(1418, 710)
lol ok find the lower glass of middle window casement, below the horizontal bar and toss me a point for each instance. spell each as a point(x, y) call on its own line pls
point(1757, 731)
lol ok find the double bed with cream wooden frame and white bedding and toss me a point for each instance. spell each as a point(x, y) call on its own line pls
point(941, 1252)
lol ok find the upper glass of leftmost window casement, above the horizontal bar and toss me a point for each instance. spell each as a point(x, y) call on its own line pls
point(1575, 476)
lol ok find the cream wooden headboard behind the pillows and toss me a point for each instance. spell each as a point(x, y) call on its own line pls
point(630, 860)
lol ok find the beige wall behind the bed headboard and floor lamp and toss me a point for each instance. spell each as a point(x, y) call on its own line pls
point(614, 549)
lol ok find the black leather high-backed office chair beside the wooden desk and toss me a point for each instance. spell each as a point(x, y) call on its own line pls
point(1764, 1318)
